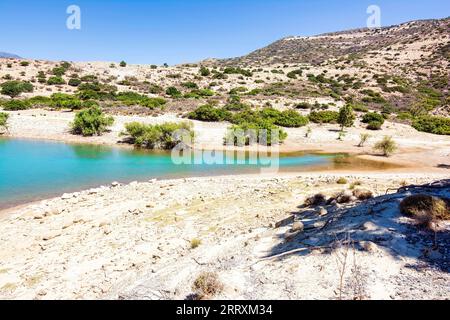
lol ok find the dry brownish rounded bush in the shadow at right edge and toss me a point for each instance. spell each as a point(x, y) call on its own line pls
point(425, 208)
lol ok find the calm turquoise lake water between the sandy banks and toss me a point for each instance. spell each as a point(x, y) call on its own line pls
point(33, 169)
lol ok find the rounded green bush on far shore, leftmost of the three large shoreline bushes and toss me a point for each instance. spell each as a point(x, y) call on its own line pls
point(91, 121)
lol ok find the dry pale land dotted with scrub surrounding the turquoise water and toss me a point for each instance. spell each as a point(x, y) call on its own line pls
point(151, 240)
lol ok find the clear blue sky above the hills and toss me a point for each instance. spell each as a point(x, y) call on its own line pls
point(176, 31)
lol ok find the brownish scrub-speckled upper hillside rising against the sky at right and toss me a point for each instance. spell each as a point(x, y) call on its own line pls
point(433, 35)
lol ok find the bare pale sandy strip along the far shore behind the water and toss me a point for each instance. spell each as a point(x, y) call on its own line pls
point(412, 152)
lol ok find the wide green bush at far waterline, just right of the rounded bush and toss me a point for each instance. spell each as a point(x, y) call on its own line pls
point(156, 136)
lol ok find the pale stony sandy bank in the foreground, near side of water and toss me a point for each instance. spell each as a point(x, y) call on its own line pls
point(133, 242)
